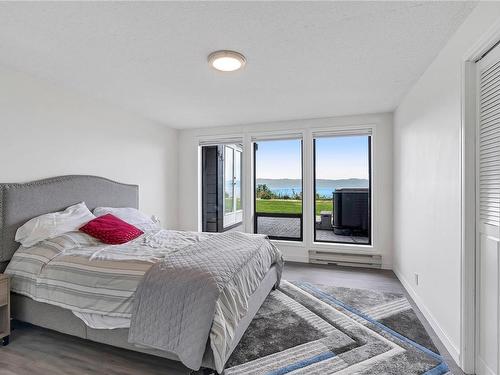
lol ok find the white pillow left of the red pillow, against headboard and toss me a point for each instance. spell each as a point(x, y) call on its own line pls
point(53, 224)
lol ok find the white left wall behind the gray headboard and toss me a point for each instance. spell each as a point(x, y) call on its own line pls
point(47, 131)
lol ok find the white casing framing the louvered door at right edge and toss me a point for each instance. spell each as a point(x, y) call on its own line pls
point(468, 321)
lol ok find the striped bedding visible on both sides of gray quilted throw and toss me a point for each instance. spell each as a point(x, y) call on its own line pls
point(76, 272)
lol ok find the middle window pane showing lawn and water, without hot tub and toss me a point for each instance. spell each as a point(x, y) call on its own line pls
point(278, 189)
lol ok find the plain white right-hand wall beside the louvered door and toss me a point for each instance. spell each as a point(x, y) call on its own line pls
point(427, 182)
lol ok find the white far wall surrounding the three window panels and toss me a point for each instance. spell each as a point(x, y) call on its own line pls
point(382, 177)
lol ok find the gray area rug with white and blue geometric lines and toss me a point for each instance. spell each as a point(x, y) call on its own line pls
point(313, 329)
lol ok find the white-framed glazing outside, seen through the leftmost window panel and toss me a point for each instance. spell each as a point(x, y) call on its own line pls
point(233, 213)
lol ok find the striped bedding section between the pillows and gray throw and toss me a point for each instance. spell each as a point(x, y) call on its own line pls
point(76, 272)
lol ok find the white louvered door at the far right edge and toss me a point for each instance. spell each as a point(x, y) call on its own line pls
point(488, 215)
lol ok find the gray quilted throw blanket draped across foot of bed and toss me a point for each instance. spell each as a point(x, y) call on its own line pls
point(175, 303)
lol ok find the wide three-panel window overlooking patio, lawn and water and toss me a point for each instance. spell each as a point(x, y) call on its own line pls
point(337, 187)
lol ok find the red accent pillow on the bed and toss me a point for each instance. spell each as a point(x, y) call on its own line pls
point(111, 230)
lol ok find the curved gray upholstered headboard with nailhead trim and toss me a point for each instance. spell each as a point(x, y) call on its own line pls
point(20, 202)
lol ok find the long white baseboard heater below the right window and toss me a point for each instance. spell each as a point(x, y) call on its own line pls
point(345, 259)
